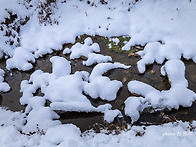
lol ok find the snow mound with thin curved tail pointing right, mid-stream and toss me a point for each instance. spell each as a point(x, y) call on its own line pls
point(101, 86)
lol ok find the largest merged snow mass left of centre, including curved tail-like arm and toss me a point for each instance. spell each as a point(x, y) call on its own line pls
point(64, 91)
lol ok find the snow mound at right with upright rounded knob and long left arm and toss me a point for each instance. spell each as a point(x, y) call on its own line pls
point(177, 95)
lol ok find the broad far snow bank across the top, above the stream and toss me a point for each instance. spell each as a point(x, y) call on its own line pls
point(100, 20)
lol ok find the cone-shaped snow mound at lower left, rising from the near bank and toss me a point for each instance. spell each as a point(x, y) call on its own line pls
point(39, 116)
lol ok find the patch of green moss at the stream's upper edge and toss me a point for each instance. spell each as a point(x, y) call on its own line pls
point(118, 47)
